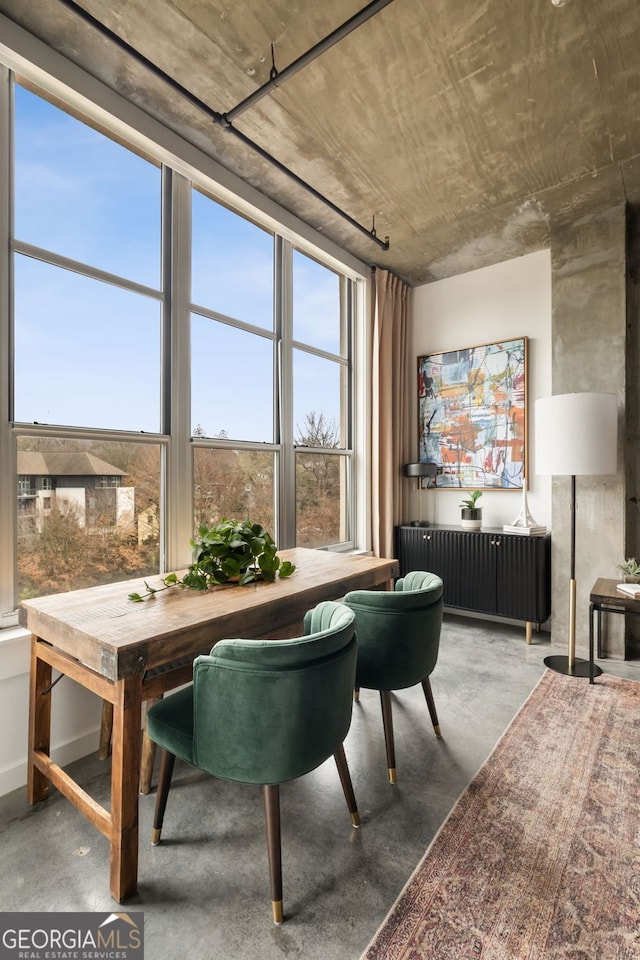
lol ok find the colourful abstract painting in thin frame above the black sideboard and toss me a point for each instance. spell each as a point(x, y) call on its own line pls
point(472, 415)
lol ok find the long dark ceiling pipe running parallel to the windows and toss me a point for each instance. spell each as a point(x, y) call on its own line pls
point(218, 117)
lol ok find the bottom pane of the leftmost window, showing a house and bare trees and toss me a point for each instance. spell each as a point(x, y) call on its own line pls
point(94, 527)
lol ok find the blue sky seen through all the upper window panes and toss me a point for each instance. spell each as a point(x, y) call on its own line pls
point(88, 353)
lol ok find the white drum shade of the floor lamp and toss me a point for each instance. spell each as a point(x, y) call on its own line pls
point(577, 433)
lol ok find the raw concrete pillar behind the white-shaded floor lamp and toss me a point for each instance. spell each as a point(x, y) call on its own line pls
point(589, 276)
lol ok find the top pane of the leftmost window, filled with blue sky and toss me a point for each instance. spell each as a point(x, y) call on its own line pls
point(83, 195)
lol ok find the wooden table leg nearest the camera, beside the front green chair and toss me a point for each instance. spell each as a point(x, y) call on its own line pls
point(125, 767)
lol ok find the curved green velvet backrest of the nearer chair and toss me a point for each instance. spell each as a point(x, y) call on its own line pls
point(267, 711)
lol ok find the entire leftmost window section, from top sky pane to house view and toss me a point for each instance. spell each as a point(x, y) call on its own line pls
point(87, 336)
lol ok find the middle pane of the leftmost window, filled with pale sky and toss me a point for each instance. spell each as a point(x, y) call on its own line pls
point(99, 340)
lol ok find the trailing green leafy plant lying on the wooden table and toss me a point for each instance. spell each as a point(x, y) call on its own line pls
point(229, 551)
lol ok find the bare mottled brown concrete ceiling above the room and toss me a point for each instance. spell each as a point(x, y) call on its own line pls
point(466, 127)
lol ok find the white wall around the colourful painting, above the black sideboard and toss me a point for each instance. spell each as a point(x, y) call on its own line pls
point(502, 302)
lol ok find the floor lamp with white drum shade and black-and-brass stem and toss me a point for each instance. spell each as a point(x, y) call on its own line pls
point(576, 434)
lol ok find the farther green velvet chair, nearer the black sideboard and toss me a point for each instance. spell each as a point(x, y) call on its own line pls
point(398, 635)
